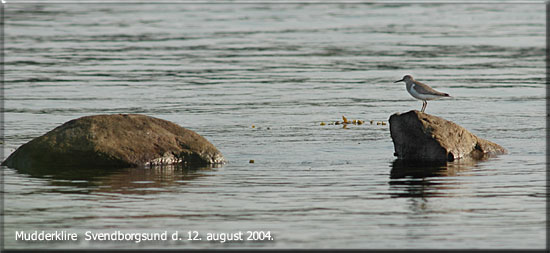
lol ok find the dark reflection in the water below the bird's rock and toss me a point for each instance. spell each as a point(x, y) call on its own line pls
point(421, 180)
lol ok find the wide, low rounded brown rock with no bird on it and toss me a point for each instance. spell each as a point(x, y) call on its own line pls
point(119, 140)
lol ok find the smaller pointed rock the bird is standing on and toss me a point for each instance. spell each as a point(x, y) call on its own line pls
point(423, 137)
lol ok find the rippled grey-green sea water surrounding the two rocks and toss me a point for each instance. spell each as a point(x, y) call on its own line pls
point(220, 69)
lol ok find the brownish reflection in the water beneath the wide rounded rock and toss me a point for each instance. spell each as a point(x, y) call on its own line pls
point(125, 181)
